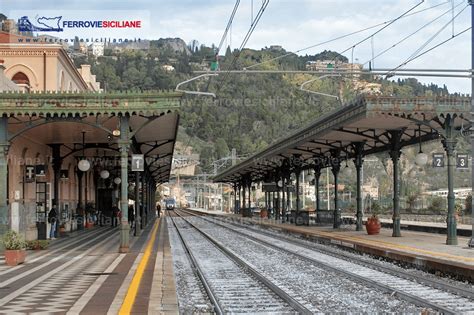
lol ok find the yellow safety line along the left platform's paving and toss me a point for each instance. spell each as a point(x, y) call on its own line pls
point(135, 284)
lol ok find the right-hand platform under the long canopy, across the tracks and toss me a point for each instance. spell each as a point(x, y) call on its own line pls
point(422, 250)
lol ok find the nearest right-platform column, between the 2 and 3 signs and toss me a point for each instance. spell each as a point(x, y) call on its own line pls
point(449, 144)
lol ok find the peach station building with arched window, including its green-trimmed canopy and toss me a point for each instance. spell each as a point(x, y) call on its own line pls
point(53, 115)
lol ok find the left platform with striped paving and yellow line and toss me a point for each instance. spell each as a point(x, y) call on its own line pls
point(85, 274)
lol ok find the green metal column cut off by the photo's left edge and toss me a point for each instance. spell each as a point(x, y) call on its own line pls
point(4, 145)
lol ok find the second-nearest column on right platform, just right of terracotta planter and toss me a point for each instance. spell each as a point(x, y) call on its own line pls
point(395, 153)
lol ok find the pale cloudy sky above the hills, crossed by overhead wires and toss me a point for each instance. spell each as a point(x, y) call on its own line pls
point(292, 24)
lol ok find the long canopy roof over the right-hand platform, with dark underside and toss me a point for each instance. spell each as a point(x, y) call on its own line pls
point(370, 121)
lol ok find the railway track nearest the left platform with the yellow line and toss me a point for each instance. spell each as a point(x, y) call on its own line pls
point(231, 285)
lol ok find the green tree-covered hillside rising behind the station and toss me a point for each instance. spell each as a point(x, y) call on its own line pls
point(250, 111)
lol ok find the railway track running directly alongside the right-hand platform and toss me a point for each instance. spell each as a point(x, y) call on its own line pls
point(425, 292)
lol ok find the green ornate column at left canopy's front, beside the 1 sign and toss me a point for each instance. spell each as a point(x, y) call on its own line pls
point(124, 146)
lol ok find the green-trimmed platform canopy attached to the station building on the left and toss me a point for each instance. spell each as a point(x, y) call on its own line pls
point(63, 118)
